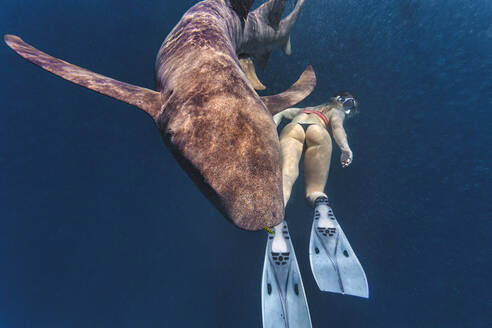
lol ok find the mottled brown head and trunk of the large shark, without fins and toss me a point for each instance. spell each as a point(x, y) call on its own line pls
point(217, 127)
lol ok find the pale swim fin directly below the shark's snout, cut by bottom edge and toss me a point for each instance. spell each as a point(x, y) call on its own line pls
point(283, 300)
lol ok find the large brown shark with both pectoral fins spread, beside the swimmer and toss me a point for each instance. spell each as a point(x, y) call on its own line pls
point(213, 122)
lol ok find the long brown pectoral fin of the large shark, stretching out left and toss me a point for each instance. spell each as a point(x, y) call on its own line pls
point(148, 100)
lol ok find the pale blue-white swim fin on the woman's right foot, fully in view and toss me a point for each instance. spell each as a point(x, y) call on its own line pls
point(333, 262)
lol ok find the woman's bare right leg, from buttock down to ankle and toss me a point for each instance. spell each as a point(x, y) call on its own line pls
point(316, 162)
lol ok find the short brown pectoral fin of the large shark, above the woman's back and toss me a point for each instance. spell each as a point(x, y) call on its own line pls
point(295, 94)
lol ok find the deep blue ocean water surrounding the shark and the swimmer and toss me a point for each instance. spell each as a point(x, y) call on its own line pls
point(100, 228)
